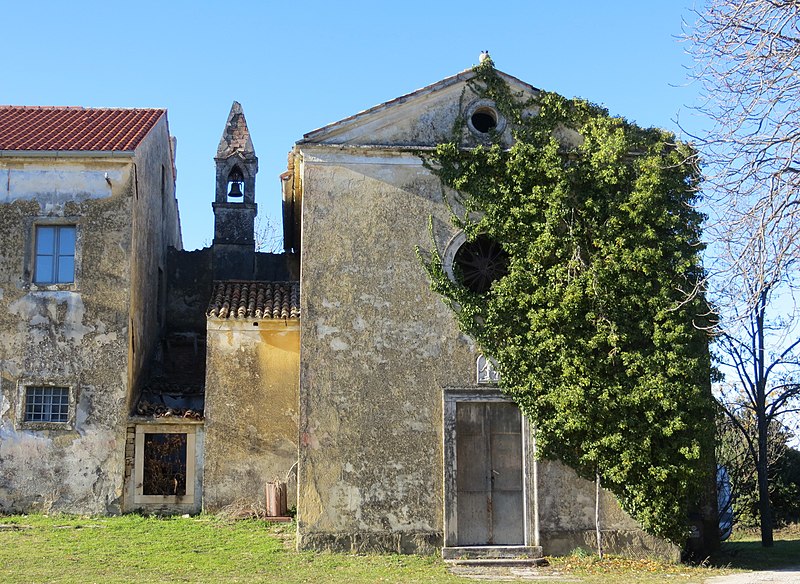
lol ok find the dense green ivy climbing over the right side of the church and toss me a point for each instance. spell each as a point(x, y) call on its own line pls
point(594, 328)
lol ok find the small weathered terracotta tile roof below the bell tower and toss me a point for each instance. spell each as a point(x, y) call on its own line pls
point(255, 300)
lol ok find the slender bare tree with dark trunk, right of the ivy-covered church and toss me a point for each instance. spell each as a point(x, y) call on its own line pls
point(757, 342)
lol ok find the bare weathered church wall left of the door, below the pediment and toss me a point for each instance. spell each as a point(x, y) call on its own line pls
point(378, 347)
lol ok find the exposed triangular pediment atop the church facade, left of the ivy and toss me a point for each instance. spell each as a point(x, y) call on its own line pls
point(422, 118)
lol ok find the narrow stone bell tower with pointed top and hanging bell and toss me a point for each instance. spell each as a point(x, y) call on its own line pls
point(234, 204)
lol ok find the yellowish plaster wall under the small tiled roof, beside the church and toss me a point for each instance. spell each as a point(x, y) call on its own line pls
point(251, 416)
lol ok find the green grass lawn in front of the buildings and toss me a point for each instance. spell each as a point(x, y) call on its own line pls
point(209, 549)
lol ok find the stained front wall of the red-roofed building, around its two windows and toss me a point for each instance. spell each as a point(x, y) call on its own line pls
point(73, 335)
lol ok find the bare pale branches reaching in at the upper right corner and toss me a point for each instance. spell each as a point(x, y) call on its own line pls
point(747, 61)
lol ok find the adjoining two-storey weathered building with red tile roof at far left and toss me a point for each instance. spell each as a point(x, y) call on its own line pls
point(87, 212)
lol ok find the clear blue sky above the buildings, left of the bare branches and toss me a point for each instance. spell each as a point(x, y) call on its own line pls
point(298, 66)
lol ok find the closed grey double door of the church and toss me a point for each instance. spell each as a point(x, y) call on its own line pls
point(489, 481)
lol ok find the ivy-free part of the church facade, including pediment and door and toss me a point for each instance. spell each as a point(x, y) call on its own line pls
point(406, 443)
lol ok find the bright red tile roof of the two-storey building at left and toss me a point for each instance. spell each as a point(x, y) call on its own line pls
point(74, 128)
